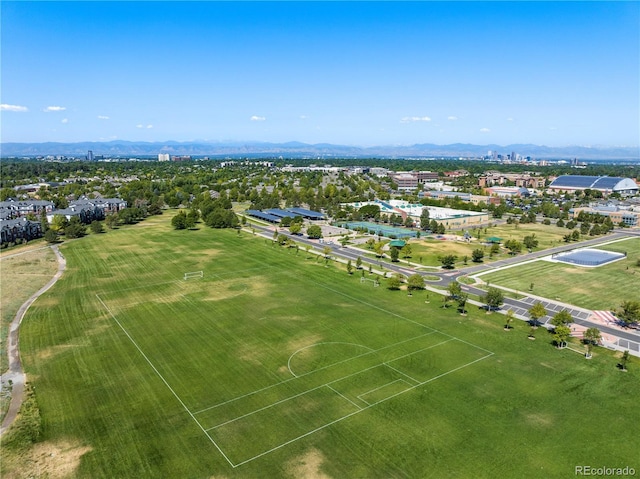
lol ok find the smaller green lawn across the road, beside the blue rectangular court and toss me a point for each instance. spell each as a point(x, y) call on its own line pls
point(604, 287)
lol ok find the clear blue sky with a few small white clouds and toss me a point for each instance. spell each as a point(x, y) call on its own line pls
point(356, 73)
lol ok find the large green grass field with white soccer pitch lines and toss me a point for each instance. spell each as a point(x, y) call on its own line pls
point(273, 365)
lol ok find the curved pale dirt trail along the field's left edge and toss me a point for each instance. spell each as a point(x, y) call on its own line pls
point(15, 372)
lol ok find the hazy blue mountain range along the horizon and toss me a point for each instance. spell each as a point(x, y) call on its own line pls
point(119, 148)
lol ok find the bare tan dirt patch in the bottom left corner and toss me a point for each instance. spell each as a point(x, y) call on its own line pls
point(56, 461)
